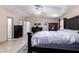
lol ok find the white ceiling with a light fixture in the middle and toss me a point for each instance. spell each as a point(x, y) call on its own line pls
point(39, 10)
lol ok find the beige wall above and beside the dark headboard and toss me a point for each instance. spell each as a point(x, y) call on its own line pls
point(71, 13)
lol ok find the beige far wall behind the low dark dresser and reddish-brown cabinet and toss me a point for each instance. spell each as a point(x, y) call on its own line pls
point(43, 20)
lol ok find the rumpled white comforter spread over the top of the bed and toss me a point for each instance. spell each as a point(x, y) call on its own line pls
point(57, 37)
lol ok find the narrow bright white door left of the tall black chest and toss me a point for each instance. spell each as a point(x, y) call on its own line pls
point(10, 27)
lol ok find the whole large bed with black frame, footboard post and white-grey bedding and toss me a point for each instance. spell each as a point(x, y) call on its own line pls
point(68, 43)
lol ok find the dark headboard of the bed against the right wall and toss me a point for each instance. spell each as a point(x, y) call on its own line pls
point(72, 23)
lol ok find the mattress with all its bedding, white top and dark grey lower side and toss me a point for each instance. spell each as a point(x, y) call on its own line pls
point(66, 39)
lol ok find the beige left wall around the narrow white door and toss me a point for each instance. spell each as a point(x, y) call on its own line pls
point(3, 22)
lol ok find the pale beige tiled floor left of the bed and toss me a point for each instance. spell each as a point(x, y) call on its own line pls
point(13, 45)
